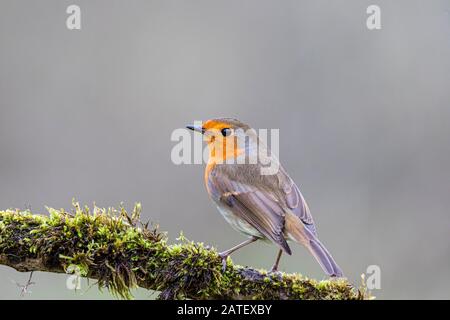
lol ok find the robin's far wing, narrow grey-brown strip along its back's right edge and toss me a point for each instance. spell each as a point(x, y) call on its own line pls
point(294, 200)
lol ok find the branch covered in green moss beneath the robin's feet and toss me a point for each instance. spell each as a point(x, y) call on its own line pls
point(113, 247)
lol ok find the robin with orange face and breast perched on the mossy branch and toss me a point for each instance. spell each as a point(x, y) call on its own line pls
point(268, 207)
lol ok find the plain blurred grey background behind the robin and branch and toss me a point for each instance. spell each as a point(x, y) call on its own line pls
point(363, 117)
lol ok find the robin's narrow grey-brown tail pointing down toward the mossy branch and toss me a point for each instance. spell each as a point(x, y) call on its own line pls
point(304, 235)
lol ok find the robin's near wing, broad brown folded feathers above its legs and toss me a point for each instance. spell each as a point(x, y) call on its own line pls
point(255, 206)
